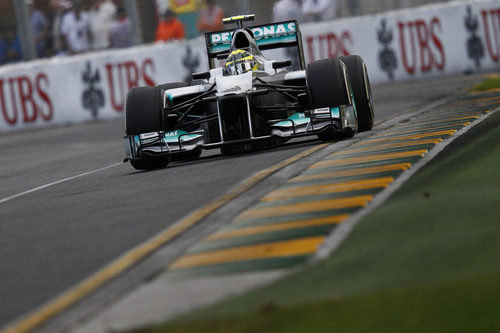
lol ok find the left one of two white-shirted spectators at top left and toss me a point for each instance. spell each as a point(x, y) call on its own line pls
point(75, 27)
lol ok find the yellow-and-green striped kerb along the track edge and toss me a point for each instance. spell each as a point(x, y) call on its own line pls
point(289, 224)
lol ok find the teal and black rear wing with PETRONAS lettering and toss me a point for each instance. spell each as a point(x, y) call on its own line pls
point(267, 37)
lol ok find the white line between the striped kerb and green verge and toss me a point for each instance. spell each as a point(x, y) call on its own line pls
point(339, 234)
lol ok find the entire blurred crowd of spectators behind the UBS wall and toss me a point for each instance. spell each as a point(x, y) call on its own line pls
point(75, 26)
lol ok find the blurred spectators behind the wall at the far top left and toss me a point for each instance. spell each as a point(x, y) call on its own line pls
point(70, 27)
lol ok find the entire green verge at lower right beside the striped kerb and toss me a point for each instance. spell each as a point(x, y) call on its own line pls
point(428, 258)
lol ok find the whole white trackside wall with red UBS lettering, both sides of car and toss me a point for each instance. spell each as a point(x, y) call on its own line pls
point(429, 41)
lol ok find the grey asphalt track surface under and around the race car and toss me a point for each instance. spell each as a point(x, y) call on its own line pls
point(54, 237)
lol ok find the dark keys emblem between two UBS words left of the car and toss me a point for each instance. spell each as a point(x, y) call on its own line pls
point(93, 96)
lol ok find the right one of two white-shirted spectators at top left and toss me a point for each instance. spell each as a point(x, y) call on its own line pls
point(101, 15)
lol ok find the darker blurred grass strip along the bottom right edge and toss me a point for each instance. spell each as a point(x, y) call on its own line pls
point(463, 306)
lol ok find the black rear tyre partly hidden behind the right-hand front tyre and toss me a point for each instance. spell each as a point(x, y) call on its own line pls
point(362, 91)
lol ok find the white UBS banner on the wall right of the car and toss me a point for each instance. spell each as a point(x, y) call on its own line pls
point(458, 37)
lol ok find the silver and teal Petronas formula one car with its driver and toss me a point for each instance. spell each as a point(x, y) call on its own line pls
point(250, 102)
